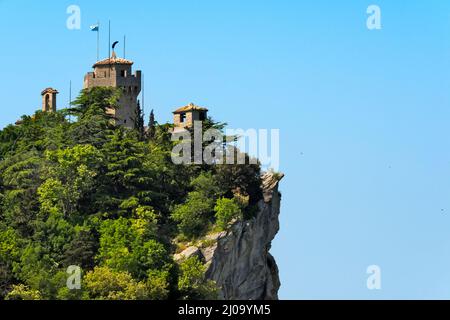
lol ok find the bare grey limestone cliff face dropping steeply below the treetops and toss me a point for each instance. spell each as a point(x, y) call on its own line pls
point(239, 260)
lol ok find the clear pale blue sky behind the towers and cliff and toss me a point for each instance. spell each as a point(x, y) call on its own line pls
point(363, 116)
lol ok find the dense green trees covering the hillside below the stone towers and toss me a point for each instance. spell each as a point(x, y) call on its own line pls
point(109, 200)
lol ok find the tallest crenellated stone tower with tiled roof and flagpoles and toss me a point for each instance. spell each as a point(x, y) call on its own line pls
point(117, 73)
